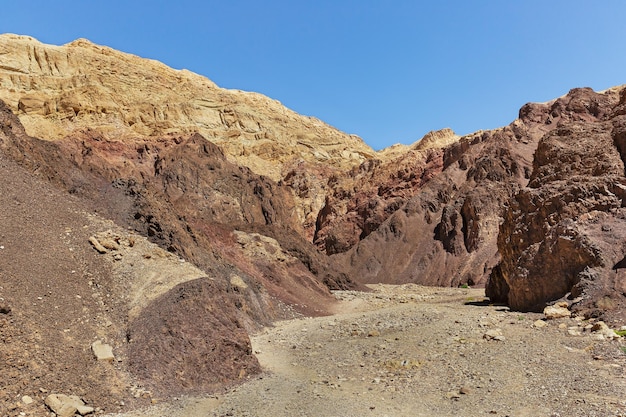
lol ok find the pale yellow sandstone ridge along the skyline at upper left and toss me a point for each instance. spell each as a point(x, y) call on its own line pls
point(57, 91)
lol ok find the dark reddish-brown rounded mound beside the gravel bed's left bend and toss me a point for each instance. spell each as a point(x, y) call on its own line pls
point(189, 341)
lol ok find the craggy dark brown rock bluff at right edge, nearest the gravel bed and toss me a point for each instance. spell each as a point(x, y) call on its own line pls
point(565, 232)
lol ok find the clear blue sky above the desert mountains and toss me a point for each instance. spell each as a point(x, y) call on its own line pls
point(388, 71)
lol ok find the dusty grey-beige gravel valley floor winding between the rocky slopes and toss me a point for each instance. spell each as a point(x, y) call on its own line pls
point(421, 351)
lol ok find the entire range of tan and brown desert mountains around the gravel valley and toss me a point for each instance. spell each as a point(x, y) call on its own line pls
point(194, 215)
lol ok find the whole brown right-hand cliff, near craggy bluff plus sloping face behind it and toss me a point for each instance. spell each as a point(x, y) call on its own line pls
point(533, 210)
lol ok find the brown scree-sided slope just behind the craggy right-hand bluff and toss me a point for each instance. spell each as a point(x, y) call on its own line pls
point(445, 233)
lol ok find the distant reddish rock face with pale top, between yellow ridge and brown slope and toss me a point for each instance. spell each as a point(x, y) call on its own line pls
point(358, 202)
